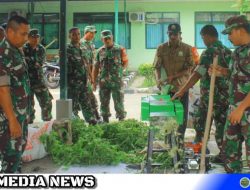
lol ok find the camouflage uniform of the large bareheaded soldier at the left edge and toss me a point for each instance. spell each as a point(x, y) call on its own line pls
point(14, 73)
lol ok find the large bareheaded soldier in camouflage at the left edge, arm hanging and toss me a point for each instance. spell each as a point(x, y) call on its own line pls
point(14, 98)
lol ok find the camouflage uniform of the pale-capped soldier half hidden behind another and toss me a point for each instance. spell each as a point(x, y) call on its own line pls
point(88, 49)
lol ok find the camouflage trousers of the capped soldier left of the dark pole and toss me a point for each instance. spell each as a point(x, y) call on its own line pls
point(45, 101)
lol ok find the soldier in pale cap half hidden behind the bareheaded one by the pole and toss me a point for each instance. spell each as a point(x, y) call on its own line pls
point(88, 49)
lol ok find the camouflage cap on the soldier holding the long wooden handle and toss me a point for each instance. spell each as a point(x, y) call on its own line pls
point(234, 22)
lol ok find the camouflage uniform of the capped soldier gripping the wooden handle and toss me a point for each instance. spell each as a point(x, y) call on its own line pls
point(239, 89)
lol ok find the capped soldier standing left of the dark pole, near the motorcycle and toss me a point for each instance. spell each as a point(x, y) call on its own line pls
point(35, 56)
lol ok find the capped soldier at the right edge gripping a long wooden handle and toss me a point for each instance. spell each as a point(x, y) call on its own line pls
point(237, 128)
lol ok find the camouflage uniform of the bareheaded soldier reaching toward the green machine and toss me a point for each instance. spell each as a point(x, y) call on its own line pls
point(220, 92)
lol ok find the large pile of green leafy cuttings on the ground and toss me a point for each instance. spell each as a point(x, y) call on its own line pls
point(101, 144)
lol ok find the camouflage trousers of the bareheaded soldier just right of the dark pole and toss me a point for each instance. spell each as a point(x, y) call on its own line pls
point(80, 99)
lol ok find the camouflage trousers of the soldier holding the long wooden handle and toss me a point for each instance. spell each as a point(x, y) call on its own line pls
point(234, 136)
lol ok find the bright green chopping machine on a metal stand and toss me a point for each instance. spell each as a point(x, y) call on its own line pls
point(156, 109)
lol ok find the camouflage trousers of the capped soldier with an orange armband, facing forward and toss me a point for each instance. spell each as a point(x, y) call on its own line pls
point(118, 98)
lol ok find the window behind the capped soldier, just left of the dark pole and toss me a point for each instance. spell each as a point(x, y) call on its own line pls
point(48, 26)
